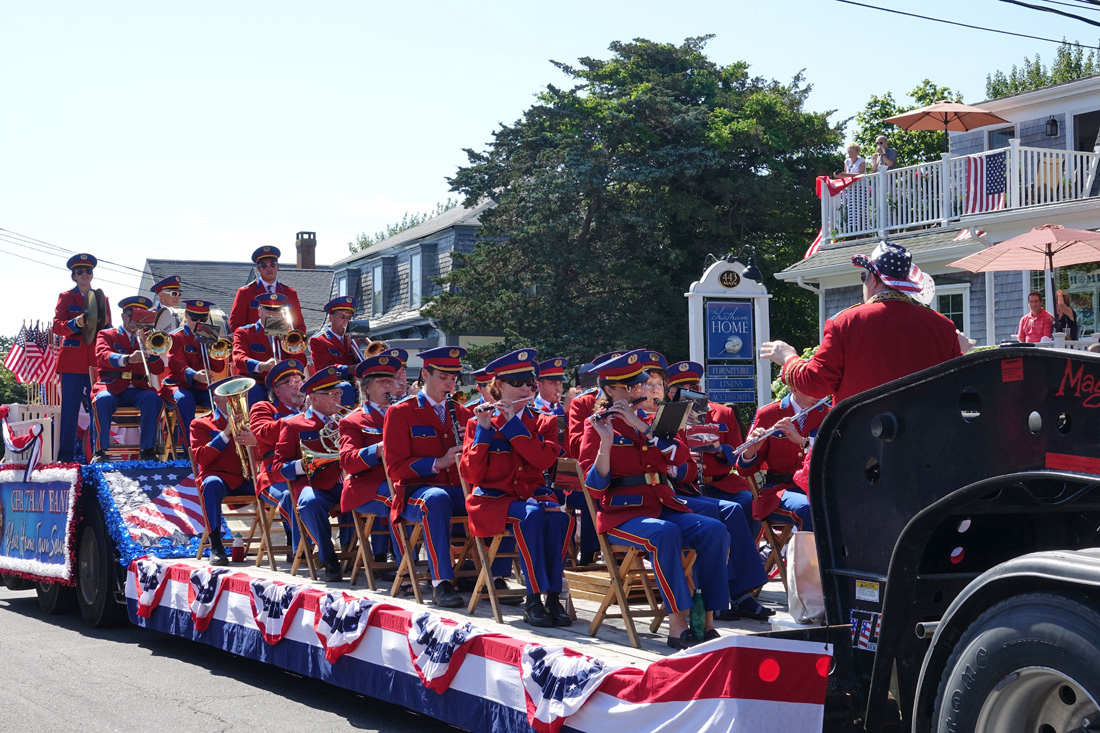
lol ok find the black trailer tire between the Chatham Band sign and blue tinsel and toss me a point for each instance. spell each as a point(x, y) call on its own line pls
point(96, 575)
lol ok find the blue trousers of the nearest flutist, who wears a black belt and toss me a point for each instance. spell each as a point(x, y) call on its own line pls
point(665, 538)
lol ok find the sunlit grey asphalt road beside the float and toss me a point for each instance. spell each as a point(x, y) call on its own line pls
point(59, 675)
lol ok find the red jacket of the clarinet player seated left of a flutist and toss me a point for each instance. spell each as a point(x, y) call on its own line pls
point(414, 437)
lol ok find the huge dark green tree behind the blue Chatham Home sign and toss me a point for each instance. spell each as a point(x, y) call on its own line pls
point(612, 193)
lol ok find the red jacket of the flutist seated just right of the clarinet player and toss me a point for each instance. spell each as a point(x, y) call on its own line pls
point(507, 464)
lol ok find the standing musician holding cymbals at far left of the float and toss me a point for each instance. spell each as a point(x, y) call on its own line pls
point(76, 359)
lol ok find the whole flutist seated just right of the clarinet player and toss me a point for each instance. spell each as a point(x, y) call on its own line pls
point(509, 448)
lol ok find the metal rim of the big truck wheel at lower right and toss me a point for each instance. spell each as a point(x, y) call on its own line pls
point(1038, 699)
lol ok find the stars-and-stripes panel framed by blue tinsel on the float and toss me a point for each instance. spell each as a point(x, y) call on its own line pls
point(158, 504)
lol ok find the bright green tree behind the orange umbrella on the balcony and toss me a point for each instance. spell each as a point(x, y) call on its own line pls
point(914, 147)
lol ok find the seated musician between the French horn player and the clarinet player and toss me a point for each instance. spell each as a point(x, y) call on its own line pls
point(366, 489)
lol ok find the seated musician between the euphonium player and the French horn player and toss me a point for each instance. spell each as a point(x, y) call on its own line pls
point(285, 399)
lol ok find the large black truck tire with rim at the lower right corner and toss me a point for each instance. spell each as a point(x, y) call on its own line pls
point(1027, 664)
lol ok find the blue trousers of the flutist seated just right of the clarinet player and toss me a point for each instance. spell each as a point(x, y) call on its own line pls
point(542, 535)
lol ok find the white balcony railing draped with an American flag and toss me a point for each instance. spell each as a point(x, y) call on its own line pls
point(954, 189)
